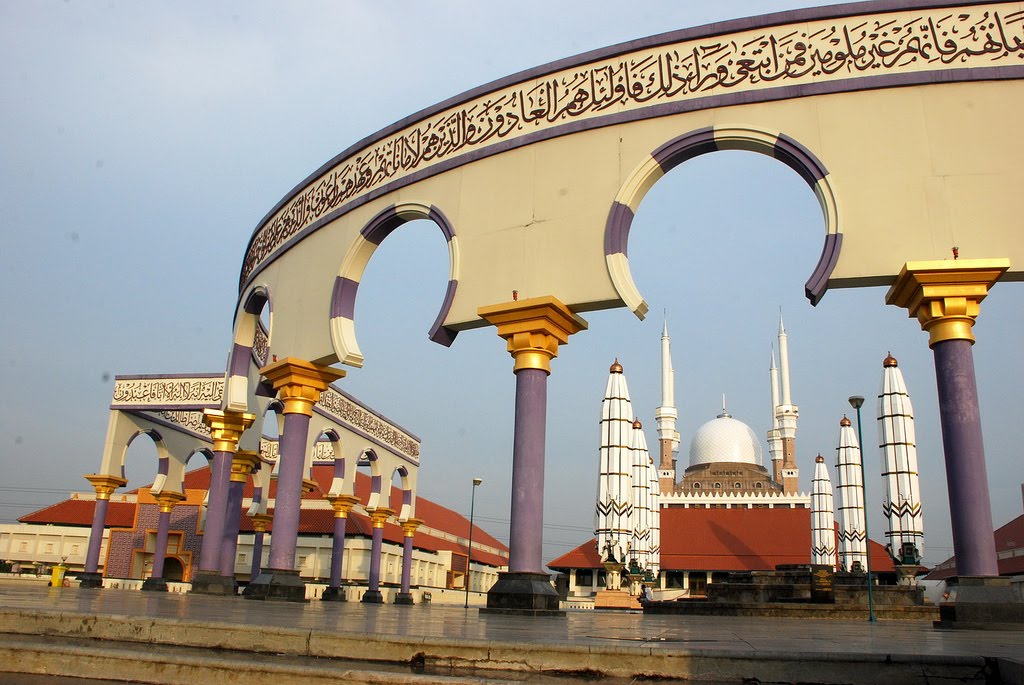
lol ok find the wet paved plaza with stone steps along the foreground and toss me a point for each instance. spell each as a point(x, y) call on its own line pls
point(435, 644)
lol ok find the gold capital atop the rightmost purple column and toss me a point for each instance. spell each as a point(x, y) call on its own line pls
point(946, 295)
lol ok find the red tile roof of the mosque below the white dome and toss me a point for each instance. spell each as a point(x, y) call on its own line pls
point(728, 540)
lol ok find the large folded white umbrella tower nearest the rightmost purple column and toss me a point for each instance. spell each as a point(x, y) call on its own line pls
point(900, 467)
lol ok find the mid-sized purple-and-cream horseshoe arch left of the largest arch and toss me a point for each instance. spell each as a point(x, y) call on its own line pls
point(355, 264)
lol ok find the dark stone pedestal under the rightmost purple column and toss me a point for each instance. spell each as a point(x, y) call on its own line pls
point(983, 603)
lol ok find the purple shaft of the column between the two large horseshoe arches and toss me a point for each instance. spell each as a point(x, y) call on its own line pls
point(526, 533)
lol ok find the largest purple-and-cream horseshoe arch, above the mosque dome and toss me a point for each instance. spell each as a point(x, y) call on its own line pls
point(702, 142)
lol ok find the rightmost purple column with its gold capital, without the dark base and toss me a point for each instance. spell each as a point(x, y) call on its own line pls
point(946, 297)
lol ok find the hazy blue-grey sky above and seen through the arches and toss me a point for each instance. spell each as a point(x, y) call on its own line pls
point(142, 143)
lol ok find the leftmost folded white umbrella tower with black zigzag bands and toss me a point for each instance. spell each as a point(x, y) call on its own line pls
point(614, 520)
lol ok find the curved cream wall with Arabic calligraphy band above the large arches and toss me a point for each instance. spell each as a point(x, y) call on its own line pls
point(913, 114)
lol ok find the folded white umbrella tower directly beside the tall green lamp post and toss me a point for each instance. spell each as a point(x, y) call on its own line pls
point(852, 539)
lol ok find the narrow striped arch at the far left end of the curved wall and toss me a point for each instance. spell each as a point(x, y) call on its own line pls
point(250, 347)
